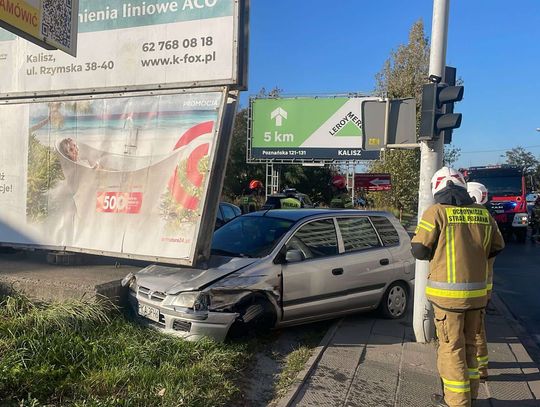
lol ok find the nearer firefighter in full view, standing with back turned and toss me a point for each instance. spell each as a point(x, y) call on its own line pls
point(458, 237)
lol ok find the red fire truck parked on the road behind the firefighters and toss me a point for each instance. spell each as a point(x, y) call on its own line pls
point(506, 197)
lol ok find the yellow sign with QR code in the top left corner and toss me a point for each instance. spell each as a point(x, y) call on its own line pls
point(48, 23)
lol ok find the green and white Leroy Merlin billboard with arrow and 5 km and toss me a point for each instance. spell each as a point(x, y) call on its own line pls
point(308, 129)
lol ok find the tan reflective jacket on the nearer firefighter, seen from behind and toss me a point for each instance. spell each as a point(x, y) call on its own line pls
point(458, 241)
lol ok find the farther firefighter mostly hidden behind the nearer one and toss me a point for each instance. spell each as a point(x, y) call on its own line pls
point(479, 193)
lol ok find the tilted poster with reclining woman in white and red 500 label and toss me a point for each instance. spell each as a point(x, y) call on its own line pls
point(120, 175)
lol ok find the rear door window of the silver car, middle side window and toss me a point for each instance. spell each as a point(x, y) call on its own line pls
point(358, 234)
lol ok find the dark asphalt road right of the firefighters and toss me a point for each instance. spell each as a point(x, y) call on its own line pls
point(517, 282)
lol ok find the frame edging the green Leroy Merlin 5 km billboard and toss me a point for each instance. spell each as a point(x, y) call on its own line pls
point(249, 142)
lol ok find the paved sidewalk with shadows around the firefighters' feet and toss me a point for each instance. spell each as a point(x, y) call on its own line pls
point(367, 361)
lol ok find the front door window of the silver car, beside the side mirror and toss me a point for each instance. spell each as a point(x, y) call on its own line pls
point(315, 239)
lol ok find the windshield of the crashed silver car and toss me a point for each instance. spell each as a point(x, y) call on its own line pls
point(249, 236)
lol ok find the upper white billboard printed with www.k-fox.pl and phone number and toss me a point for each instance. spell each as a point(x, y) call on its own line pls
point(134, 45)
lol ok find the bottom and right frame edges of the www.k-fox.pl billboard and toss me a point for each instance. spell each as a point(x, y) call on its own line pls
point(237, 82)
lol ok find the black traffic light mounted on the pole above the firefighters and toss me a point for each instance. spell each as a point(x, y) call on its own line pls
point(437, 110)
